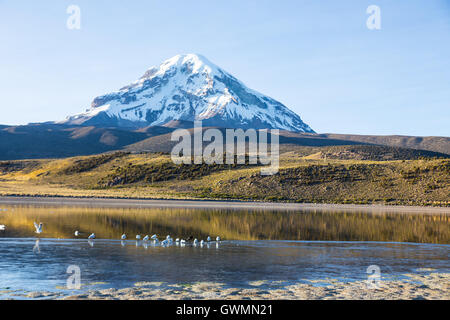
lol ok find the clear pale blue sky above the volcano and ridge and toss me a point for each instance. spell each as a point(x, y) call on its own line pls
point(316, 57)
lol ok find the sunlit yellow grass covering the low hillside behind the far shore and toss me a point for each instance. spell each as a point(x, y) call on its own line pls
point(411, 182)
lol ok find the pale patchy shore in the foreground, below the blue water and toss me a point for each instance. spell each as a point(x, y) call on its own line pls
point(414, 286)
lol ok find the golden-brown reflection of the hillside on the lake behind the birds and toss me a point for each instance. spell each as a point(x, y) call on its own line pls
point(107, 223)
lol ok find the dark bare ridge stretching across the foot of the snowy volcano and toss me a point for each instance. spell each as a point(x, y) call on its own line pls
point(56, 141)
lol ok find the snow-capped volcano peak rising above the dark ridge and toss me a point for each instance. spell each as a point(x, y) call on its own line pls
point(189, 87)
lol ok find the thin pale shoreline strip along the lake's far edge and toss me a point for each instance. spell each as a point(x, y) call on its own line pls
point(213, 204)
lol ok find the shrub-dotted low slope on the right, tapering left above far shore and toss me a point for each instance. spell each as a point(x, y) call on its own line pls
point(412, 182)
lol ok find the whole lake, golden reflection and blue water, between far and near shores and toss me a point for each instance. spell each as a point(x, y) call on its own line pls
point(272, 246)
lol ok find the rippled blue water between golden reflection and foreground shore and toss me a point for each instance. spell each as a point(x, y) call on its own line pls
point(41, 265)
